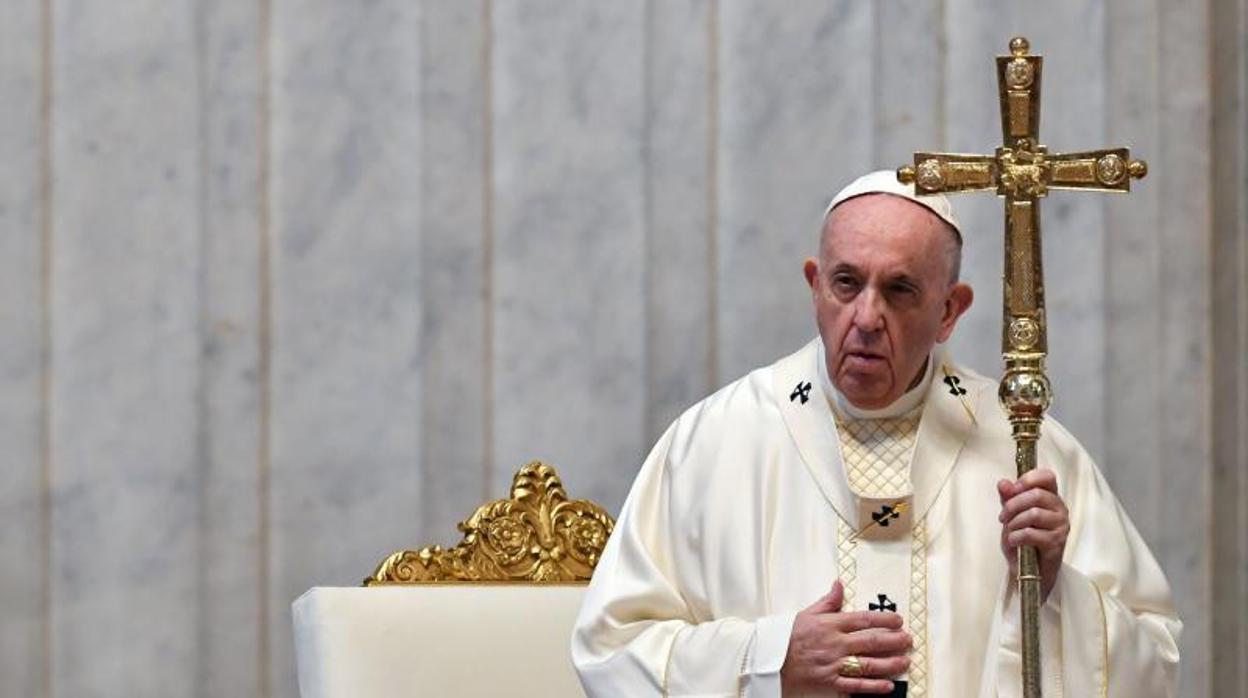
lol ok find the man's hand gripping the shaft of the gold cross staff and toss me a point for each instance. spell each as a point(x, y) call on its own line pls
point(1033, 514)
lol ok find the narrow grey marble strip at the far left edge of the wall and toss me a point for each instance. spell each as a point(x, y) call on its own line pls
point(23, 573)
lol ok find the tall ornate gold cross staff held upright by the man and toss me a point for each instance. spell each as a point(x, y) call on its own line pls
point(1023, 172)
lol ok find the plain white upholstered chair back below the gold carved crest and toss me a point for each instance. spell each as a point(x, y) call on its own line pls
point(437, 641)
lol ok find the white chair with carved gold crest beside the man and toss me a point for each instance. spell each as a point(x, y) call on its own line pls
point(491, 616)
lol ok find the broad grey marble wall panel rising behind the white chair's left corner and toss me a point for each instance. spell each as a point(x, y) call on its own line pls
point(346, 299)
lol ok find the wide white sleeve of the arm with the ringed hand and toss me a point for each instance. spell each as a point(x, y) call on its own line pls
point(636, 635)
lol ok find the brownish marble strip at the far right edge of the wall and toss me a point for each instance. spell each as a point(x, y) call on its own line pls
point(1230, 330)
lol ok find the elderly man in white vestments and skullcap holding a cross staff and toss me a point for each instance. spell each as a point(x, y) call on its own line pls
point(827, 525)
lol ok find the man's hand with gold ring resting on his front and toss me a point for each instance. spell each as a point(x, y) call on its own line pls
point(824, 637)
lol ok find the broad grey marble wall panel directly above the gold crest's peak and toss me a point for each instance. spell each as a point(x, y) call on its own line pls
point(570, 334)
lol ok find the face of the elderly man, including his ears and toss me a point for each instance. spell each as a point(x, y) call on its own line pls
point(884, 295)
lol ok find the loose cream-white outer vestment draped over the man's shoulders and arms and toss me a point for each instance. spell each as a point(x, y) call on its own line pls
point(736, 520)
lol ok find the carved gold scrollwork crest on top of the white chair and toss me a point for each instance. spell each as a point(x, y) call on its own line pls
point(537, 536)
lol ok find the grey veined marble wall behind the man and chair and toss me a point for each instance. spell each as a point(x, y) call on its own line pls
point(285, 287)
